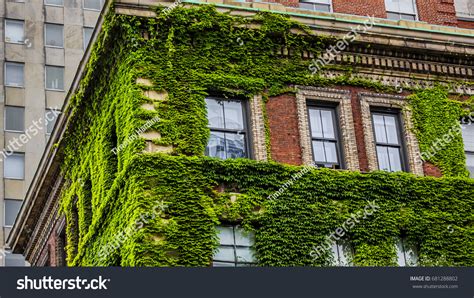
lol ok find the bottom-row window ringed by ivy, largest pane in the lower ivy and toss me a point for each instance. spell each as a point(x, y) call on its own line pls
point(235, 248)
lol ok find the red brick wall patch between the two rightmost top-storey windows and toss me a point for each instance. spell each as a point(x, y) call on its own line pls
point(440, 12)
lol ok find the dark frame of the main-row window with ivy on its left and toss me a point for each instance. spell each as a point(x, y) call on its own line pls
point(246, 124)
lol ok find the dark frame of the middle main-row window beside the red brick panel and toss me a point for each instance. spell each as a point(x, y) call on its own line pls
point(337, 131)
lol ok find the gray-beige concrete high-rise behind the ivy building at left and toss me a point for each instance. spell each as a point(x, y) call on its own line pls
point(41, 45)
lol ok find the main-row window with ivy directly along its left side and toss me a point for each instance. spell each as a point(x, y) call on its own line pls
point(227, 122)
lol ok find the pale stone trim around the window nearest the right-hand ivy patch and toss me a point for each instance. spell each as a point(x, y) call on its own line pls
point(376, 100)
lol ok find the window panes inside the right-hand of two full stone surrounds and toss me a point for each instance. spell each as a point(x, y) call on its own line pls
point(388, 142)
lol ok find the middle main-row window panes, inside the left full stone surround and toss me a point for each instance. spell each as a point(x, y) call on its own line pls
point(324, 136)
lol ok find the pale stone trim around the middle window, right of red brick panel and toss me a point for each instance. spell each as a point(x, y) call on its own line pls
point(346, 122)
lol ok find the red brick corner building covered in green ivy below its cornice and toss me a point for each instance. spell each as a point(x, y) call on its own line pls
point(250, 134)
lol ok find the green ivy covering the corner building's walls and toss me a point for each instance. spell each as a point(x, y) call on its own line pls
point(191, 53)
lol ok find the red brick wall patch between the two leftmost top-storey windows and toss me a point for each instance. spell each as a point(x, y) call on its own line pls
point(361, 7)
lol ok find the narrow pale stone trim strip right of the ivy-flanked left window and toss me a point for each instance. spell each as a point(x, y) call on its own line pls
point(257, 127)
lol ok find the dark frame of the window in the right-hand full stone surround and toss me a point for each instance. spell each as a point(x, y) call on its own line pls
point(400, 131)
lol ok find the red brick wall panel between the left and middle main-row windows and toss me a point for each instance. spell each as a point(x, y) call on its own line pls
point(284, 133)
